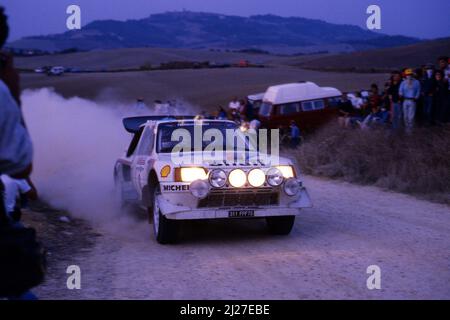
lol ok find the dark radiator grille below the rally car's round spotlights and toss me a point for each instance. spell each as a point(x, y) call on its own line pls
point(236, 198)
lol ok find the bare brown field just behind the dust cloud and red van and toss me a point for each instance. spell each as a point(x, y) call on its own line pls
point(206, 88)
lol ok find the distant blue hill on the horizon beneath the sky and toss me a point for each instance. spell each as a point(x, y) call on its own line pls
point(185, 29)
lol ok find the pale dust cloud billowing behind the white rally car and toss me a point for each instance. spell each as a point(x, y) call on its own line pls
point(76, 143)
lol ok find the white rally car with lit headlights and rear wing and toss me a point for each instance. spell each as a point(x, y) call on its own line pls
point(233, 187)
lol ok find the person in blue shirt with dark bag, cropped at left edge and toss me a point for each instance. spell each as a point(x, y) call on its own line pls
point(22, 260)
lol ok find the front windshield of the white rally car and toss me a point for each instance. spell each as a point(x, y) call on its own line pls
point(169, 136)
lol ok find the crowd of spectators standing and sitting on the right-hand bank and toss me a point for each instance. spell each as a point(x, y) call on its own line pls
point(409, 98)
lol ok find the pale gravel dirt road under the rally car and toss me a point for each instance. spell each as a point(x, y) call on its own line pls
point(325, 257)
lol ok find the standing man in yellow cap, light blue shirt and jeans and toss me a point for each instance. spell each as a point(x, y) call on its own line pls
point(410, 92)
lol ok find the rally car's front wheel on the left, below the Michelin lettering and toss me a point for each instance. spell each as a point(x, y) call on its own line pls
point(165, 230)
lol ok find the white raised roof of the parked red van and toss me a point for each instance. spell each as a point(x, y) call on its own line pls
point(292, 92)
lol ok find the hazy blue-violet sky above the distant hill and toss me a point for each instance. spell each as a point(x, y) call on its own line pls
point(425, 19)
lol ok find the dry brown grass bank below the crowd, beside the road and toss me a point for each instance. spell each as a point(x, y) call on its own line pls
point(418, 164)
